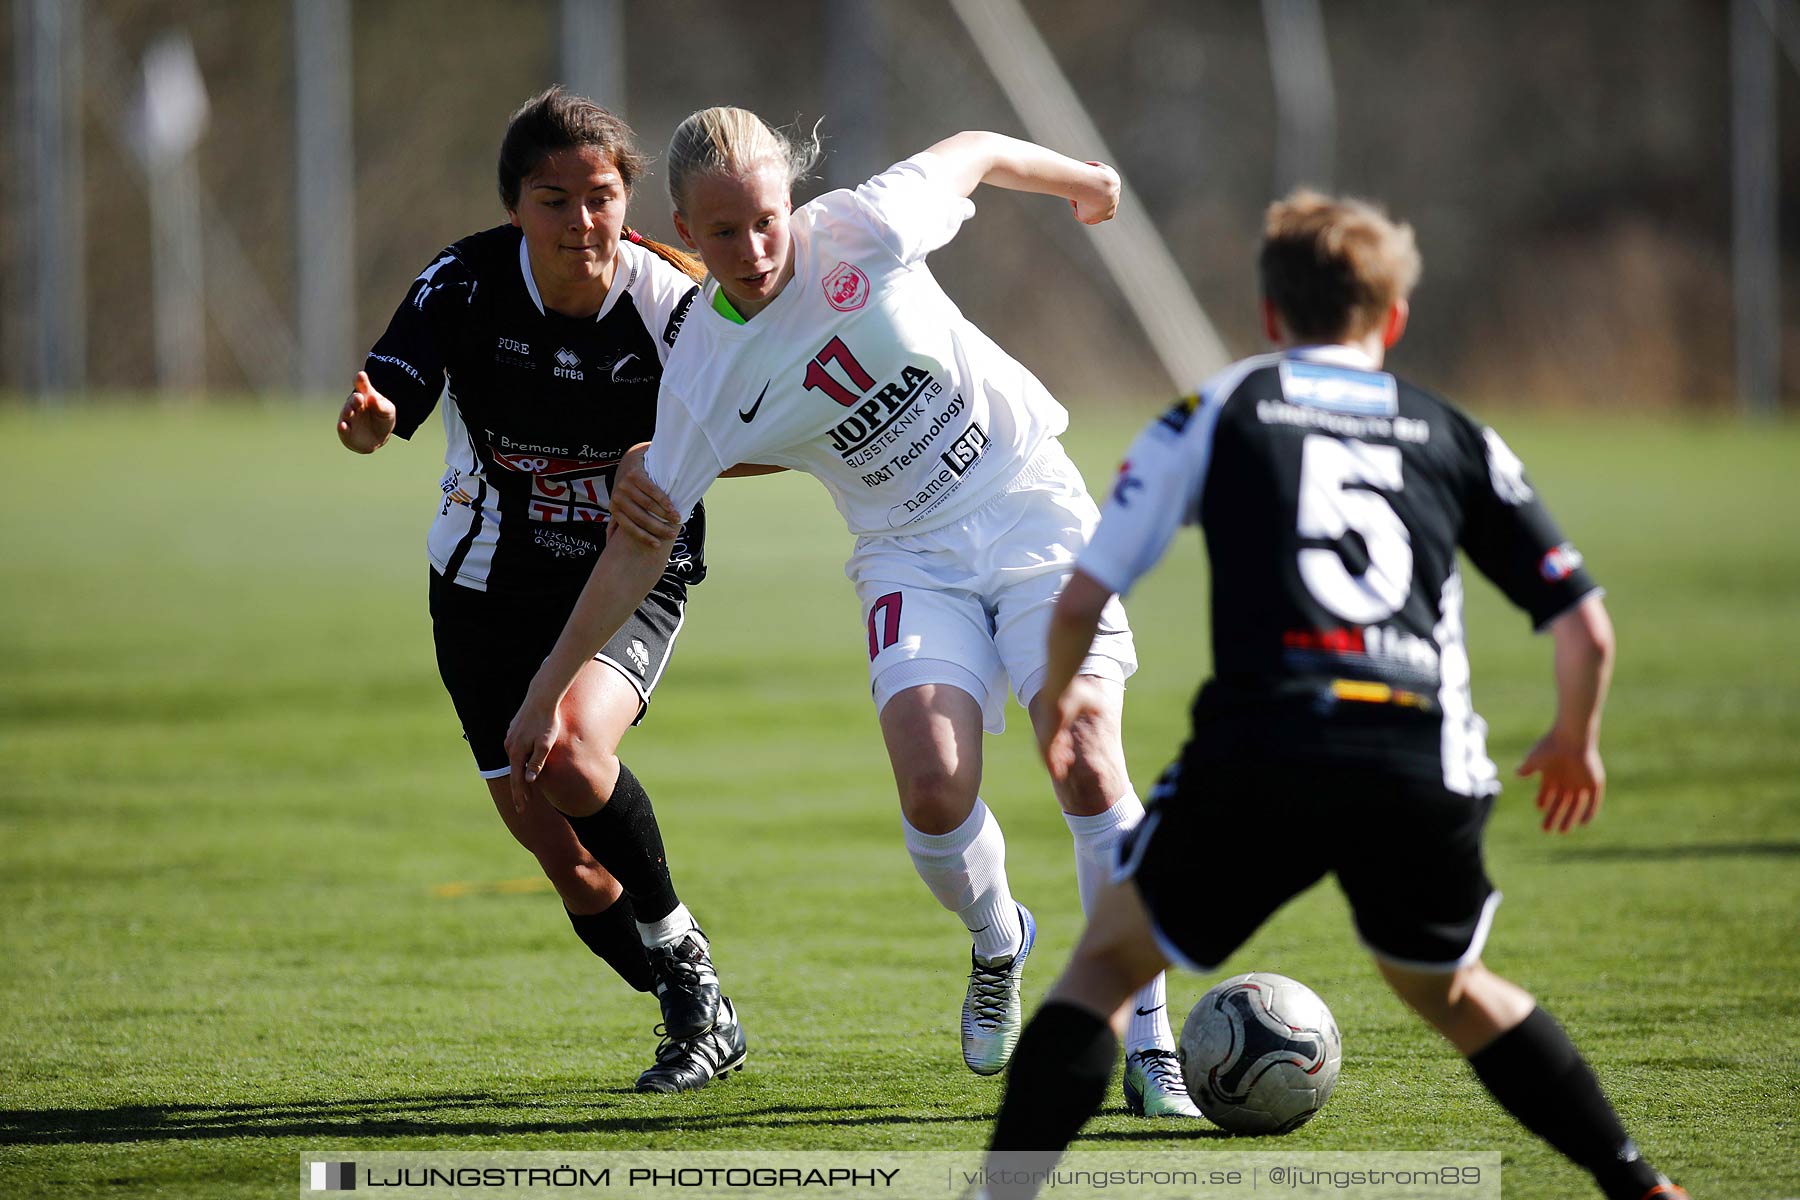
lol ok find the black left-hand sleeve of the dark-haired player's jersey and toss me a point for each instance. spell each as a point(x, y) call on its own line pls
point(408, 364)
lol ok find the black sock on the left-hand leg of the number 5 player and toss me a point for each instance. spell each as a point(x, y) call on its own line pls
point(1057, 1080)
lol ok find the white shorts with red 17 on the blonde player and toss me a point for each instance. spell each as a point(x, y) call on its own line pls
point(969, 604)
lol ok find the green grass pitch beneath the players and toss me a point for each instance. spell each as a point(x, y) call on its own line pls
point(256, 899)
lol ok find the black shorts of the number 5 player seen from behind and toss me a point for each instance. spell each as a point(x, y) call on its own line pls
point(1228, 843)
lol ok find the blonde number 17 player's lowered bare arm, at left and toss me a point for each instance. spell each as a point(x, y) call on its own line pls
point(622, 578)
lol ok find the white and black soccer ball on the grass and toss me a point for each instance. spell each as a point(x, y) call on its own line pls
point(1261, 1053)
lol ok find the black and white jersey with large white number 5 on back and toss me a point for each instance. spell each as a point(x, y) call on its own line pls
point(1333, 497)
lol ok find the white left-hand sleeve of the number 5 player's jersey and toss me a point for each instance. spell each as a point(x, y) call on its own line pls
point(1156, 494)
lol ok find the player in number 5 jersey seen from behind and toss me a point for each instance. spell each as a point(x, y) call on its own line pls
point(1335, 499)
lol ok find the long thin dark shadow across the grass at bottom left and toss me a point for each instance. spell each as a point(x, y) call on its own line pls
point(415, 1116)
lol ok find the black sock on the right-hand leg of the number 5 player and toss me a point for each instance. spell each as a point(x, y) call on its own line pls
point(1538, 1075)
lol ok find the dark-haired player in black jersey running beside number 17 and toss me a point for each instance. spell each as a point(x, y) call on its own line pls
point(552, 334)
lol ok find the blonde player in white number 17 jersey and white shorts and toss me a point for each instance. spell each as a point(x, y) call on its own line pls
point(823, 345)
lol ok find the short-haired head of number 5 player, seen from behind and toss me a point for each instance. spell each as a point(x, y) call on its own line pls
point(1336, 269)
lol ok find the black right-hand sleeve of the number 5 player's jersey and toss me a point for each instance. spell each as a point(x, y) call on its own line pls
point(1511, 535)
